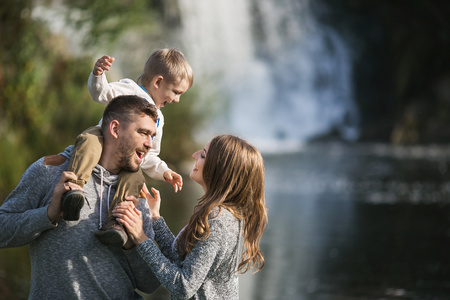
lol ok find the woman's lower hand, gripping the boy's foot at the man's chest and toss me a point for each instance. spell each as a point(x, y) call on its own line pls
point(131, 218)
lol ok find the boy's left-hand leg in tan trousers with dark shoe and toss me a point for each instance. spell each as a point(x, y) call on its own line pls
point(86, 154)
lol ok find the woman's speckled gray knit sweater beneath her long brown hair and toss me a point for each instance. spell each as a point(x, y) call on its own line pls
point(209, 271)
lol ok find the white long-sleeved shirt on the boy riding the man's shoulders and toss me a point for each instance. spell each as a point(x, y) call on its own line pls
point(102, 92)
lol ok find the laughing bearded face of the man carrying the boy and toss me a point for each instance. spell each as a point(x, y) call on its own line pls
point(135, 142)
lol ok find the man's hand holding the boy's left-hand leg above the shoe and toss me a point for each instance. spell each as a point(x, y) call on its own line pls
point(54, 209)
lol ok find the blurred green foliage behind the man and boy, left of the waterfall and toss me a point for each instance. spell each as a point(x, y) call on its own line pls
point(44, 102)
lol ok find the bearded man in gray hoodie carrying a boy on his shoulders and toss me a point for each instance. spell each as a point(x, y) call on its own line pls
point(67, 261)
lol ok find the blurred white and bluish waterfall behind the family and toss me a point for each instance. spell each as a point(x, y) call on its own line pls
point(286, 78)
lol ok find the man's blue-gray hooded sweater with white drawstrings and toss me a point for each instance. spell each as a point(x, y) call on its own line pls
point(67, 261)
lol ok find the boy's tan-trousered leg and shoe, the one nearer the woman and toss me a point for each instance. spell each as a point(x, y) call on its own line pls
point(129, 184)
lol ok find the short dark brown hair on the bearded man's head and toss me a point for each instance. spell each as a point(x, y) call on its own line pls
point(126, 108)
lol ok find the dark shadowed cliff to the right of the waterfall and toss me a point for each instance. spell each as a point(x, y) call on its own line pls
point(401, 66)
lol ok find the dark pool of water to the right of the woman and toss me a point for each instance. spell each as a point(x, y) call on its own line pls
point(356, 222)
